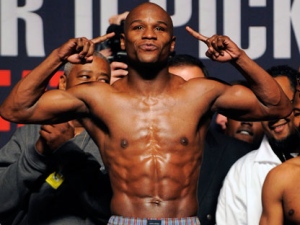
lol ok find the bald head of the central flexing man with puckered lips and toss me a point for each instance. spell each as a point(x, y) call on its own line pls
point(148, 35)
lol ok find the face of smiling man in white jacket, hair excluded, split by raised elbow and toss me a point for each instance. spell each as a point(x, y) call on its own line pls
point(279, 130)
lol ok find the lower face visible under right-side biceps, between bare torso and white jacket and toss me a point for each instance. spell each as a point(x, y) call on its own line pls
point(251, 132)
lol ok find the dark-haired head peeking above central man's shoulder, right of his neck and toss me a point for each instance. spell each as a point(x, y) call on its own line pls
point(187, 66)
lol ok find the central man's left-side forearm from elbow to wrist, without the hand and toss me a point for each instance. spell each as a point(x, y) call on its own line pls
point(28, 90)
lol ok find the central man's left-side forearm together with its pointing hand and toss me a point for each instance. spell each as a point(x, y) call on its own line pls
point(20, 103)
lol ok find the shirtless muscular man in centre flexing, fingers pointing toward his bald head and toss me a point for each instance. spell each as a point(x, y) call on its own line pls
point(149, 126)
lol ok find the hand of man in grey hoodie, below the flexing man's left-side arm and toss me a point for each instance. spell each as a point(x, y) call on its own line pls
point(53, 136)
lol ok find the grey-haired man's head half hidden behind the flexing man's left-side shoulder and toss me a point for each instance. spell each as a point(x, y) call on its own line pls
point(74, 74)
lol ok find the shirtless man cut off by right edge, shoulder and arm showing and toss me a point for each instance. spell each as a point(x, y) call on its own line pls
point(280, 193)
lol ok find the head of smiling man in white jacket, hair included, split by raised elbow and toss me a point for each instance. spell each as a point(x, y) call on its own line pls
point(281, 133)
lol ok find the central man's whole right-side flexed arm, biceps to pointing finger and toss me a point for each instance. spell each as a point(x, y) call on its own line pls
point(268, 101)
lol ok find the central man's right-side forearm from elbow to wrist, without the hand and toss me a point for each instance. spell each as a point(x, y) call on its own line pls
point(263, 85)
